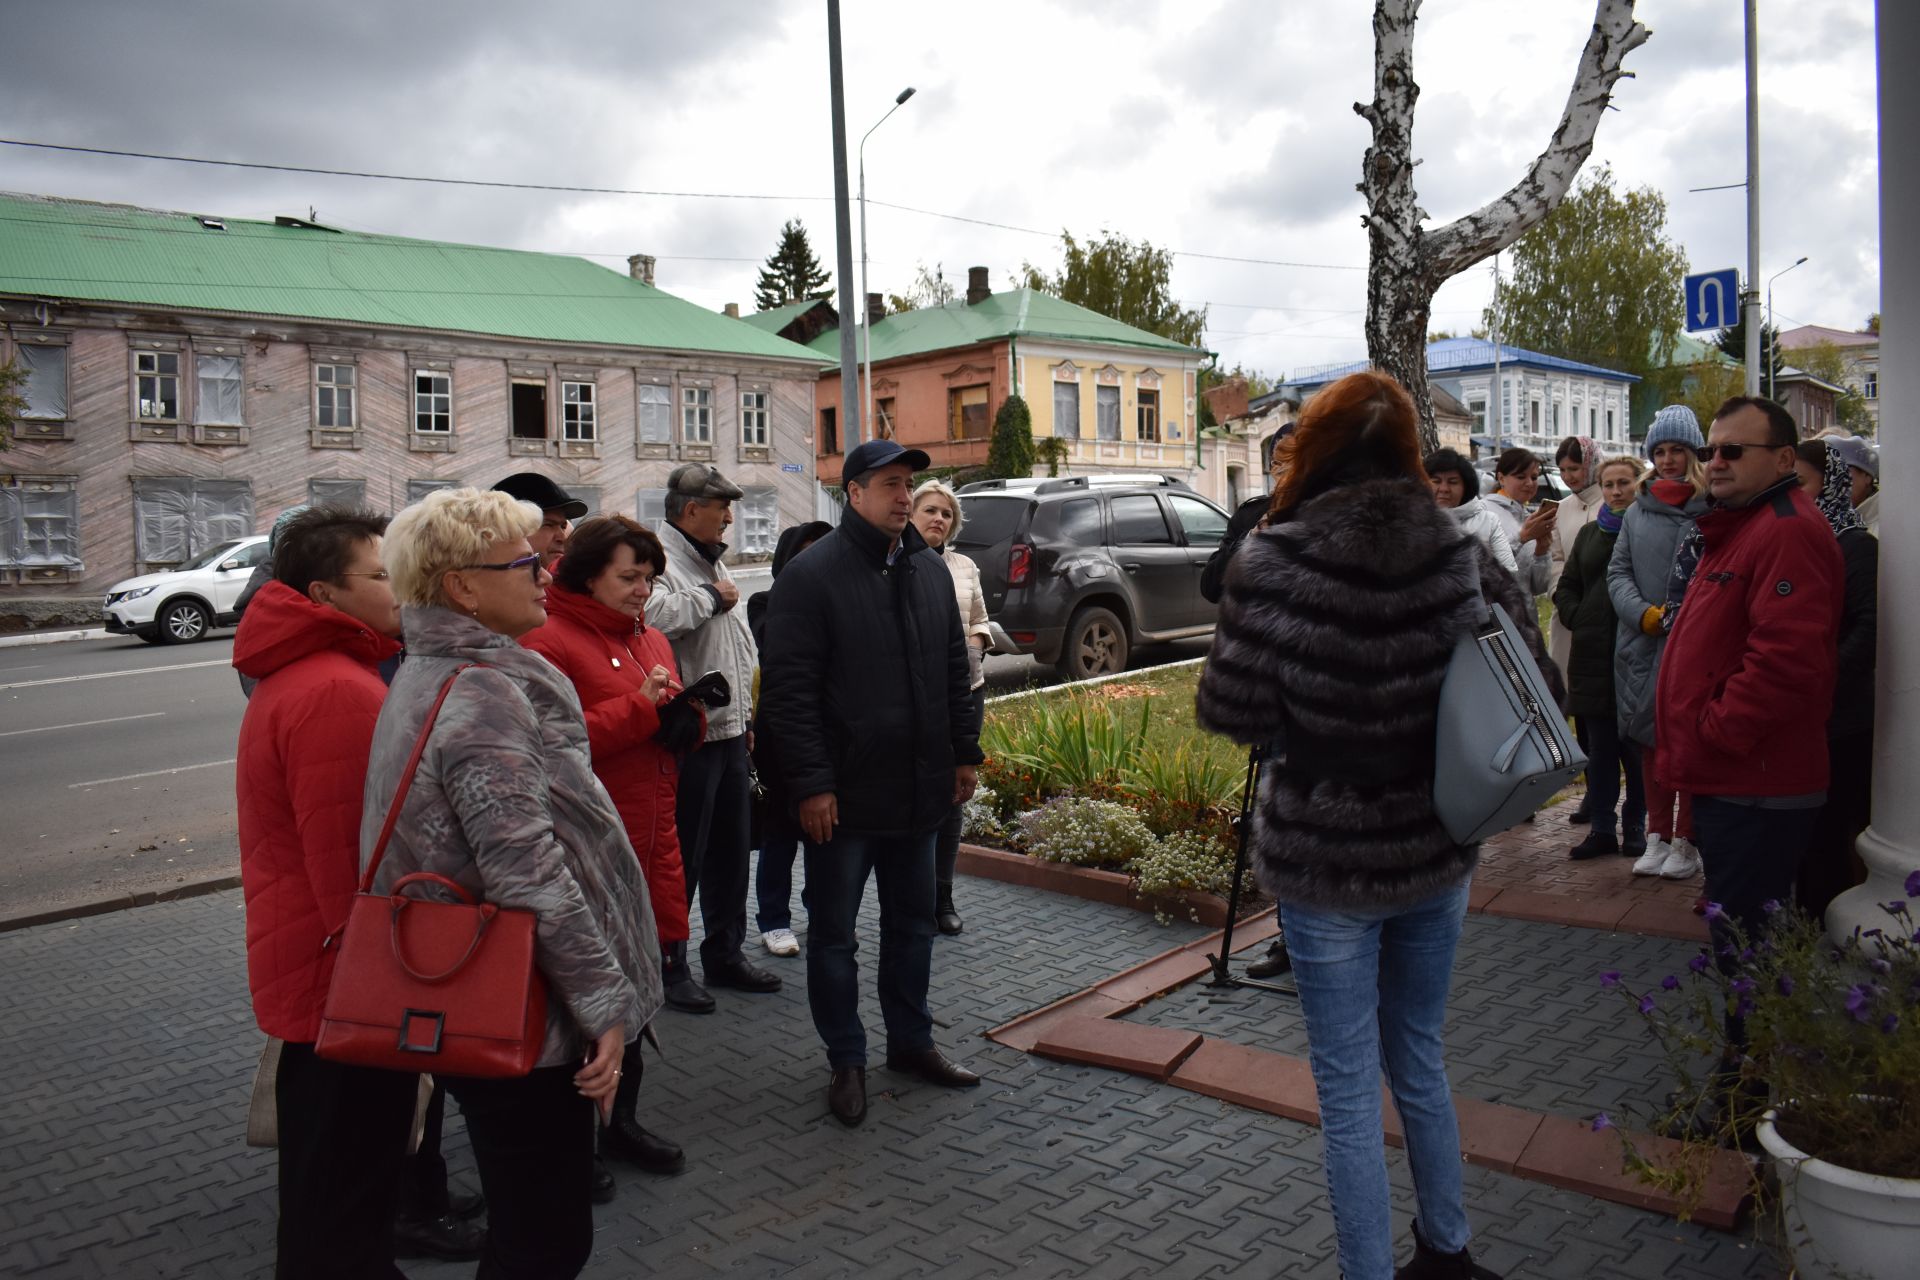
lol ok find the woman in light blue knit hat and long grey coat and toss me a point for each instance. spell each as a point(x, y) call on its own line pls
point(1637, 581)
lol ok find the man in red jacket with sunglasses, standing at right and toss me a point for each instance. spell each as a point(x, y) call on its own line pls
point(1748, 678)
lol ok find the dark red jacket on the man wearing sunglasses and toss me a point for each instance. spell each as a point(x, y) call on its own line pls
point(1748, 678)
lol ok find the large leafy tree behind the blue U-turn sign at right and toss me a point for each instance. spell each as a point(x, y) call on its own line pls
point(1598, 281)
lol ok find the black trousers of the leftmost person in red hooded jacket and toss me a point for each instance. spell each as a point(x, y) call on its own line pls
point(343, 1143)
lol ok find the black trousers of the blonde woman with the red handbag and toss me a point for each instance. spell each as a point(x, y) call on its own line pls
point(535, 1145)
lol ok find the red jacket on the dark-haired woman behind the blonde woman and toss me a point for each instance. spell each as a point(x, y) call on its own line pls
point(608, 657)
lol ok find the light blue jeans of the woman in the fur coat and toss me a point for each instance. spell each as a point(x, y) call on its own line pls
point(1374, 991)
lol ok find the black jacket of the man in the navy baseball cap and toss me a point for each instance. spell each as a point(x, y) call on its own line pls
point(865, 684)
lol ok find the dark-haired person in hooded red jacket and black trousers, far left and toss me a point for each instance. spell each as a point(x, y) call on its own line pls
point(314, 638)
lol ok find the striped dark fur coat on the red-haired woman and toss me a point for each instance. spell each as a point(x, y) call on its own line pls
point(1335, 630)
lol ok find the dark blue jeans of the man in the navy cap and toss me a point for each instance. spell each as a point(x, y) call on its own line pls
point(836, 882)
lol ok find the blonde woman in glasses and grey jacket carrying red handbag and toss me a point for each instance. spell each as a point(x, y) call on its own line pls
point(508, 807)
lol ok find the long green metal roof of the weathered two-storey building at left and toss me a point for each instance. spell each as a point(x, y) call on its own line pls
point(122, 254)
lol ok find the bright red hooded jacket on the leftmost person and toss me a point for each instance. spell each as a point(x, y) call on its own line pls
point(304, 746)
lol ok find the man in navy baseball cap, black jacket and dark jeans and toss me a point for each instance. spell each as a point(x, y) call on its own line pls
point(867, 701)
